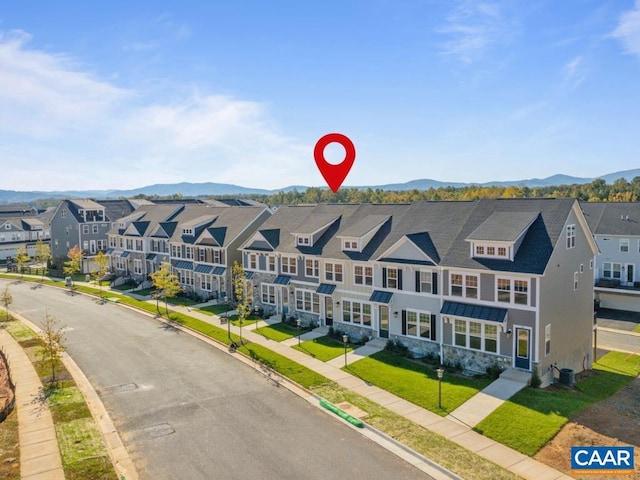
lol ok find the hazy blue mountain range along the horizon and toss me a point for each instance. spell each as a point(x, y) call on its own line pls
point(213, 189)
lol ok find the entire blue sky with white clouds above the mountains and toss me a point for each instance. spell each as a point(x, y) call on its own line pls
point(124, 94)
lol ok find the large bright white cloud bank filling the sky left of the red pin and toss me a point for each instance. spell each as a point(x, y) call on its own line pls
point(63, 128)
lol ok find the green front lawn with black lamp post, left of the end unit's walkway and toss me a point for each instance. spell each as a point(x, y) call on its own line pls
point(416, 382)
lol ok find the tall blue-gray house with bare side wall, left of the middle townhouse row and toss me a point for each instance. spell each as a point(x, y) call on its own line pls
point(85, 223)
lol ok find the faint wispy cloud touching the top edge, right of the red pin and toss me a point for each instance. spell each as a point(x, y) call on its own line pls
point(472, 27)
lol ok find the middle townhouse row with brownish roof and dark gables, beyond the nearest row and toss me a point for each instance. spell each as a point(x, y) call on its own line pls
point(199, 240)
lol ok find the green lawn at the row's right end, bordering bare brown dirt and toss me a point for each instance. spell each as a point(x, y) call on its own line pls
point(541, 413)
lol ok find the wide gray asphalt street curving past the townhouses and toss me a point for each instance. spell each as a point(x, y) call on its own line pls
point(186, 410)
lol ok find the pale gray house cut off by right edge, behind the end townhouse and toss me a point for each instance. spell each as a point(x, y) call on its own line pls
point(616, 228)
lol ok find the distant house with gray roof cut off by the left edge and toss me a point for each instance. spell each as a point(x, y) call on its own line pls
point(21, 226)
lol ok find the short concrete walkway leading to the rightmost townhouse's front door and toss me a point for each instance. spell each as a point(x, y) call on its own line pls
point(480, 406)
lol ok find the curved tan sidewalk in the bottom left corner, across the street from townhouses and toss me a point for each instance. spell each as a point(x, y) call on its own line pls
point(39, 453)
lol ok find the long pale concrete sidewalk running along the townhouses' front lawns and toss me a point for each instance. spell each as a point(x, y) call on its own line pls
point(463, 435)
